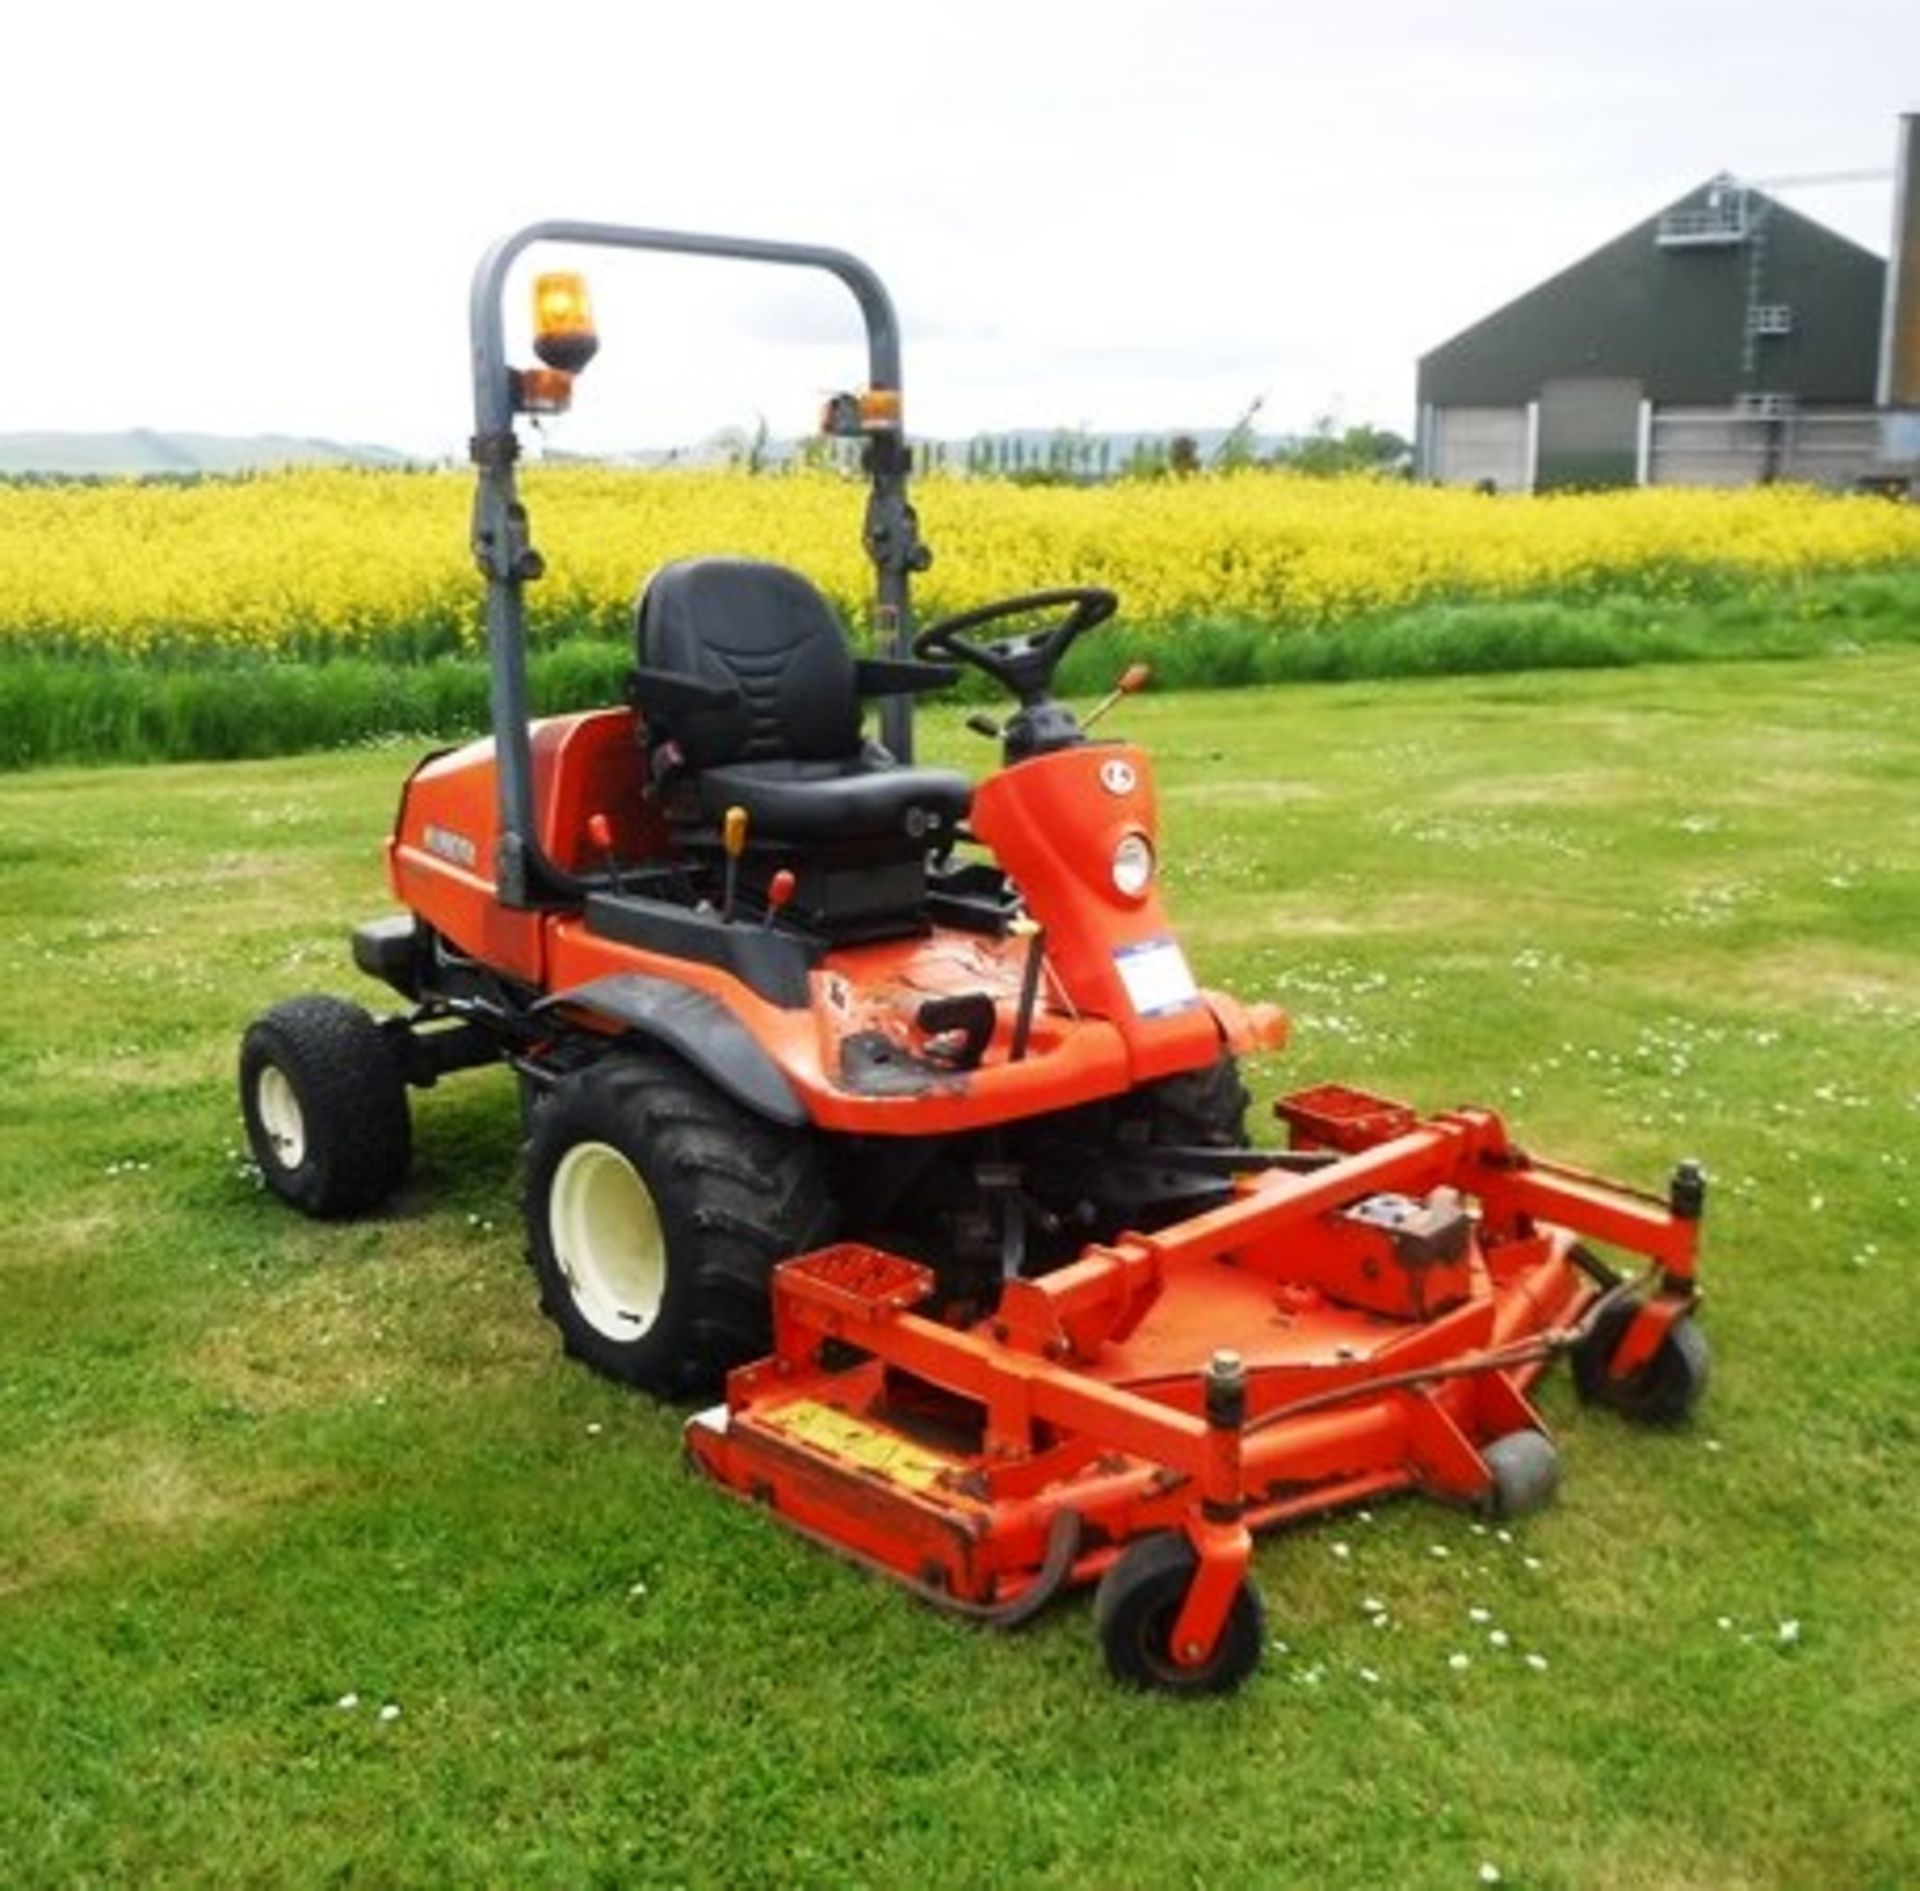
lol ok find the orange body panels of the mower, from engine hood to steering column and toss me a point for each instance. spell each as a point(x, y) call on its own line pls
point(1053, 823)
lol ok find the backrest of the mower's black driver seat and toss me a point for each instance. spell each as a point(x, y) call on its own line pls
point(767, 633)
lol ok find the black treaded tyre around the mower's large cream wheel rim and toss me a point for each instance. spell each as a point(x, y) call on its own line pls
point(746, 1193)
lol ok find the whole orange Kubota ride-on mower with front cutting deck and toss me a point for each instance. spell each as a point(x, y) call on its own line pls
point(888, 1101)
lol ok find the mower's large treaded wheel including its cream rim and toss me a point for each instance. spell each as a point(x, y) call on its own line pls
point(656, 1212)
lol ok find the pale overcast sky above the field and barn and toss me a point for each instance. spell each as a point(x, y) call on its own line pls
point(1122, 214)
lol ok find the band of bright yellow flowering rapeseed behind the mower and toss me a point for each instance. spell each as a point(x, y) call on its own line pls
point(377, 562)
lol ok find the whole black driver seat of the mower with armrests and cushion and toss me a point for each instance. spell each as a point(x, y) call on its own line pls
point(773, 721)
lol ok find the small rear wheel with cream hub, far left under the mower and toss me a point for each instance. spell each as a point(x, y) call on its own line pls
point(325, 1107)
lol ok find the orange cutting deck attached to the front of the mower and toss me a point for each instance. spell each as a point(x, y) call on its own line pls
point(1358, 1326)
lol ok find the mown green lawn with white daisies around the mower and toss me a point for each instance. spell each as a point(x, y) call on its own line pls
point(266, 1481)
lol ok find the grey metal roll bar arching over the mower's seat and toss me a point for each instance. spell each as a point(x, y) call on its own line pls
point(500, 527)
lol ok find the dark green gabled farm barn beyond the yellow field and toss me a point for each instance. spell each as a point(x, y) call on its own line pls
point(1723, 343)
